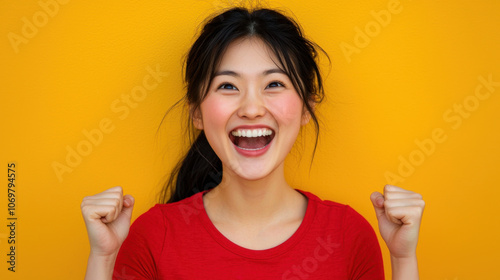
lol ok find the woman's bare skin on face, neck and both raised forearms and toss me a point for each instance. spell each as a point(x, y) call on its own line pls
point(253, 206)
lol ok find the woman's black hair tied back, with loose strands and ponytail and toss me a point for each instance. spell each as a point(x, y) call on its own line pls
point(200, 168)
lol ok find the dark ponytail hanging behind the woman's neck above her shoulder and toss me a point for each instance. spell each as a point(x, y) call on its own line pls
point(199, 170)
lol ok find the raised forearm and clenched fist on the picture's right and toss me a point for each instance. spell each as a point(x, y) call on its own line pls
point(399, 213)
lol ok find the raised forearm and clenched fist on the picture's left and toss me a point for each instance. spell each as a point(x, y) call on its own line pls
point(107, 217)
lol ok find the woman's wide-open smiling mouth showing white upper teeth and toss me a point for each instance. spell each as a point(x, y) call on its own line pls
point(251, 139)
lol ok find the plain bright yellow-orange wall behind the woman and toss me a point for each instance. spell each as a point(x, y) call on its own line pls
point(68, 67)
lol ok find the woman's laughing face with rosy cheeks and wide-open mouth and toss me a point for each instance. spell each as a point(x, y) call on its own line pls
point(251, 114)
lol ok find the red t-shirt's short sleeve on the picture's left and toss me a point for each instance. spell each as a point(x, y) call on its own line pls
point(142, 248)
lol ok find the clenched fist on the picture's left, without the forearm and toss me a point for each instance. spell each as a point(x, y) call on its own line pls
point(107, 217)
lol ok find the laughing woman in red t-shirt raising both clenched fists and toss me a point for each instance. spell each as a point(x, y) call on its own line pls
point(252, 83)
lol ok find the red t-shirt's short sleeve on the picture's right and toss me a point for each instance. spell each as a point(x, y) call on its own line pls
point(364, 254)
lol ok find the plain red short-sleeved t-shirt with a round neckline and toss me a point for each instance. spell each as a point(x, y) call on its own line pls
point(178, 241)
